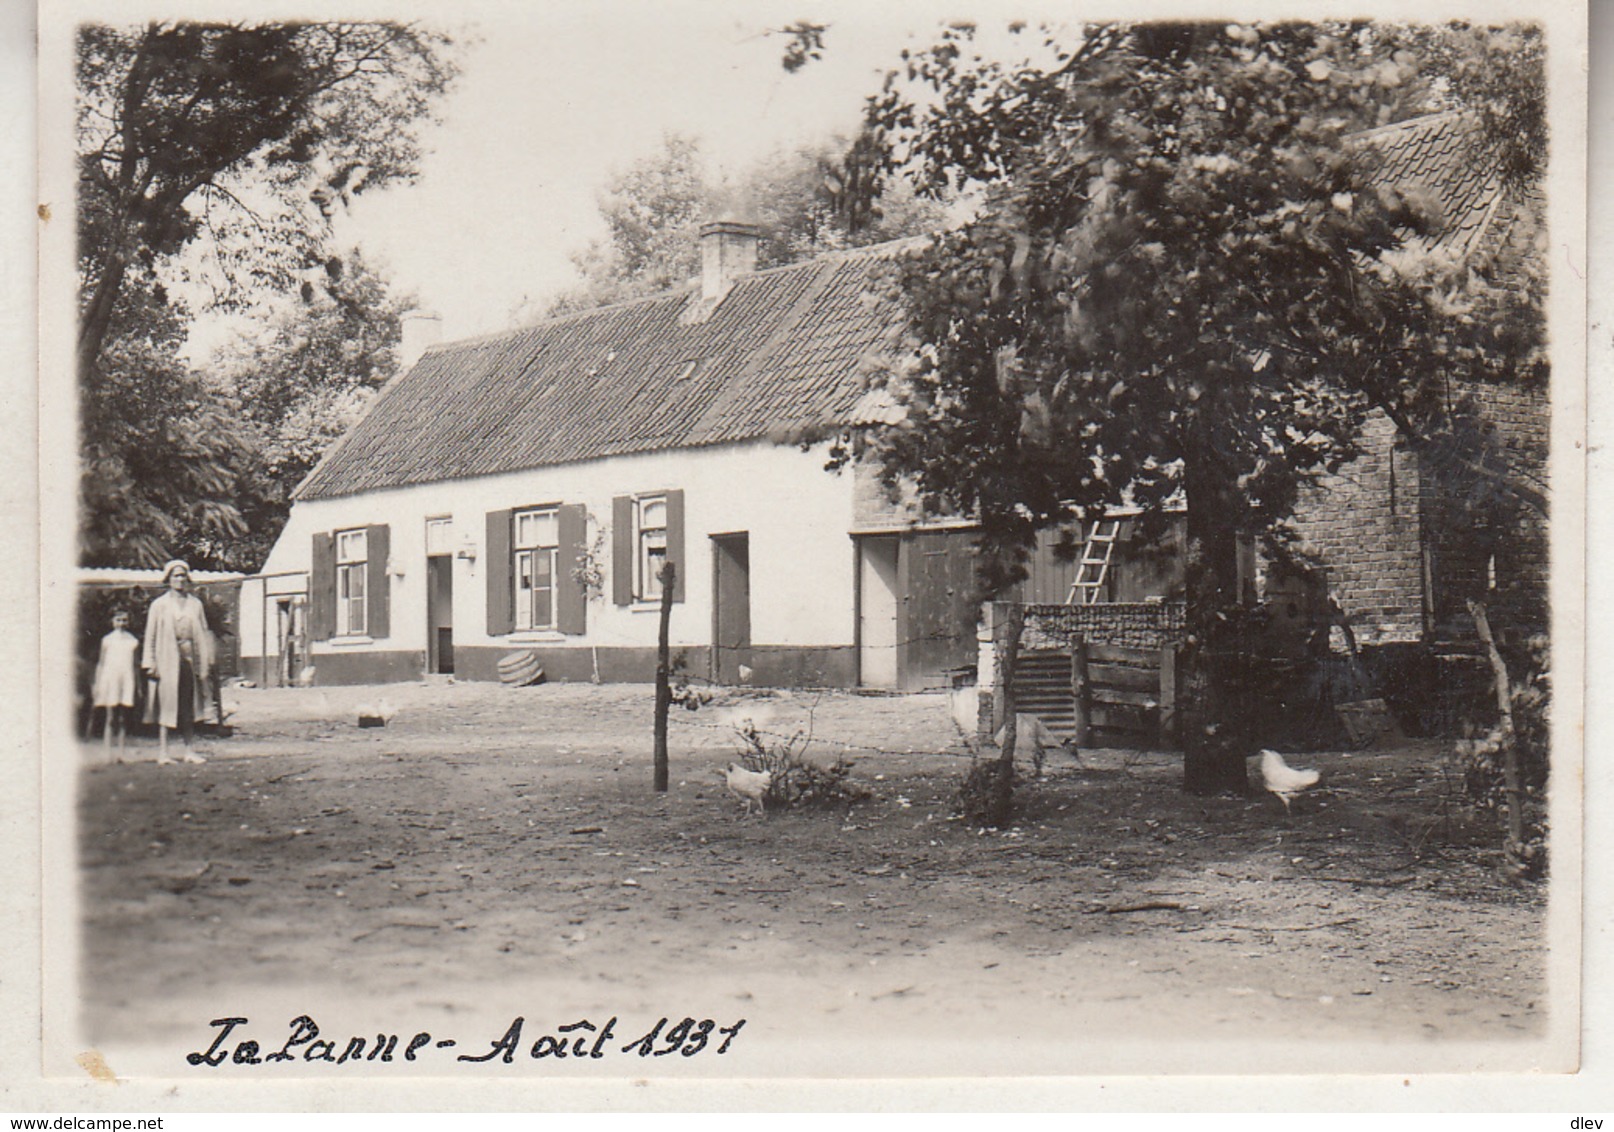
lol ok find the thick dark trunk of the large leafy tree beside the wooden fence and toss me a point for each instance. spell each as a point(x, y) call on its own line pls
point(1215, 726)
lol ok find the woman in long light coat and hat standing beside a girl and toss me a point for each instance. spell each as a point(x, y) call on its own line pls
point(178, 658)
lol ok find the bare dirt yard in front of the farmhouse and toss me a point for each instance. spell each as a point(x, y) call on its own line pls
point(496, 853)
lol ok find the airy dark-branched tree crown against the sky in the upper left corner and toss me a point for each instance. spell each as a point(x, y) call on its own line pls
point(196, 128)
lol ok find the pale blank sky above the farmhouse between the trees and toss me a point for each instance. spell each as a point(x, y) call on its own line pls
point(554, 98)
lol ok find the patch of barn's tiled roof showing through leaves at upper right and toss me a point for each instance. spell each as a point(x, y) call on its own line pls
point(1442, 156)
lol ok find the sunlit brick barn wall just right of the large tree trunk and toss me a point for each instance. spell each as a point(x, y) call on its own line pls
point(1363, 526)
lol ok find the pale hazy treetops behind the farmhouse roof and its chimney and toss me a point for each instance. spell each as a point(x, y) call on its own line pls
point(654, 211)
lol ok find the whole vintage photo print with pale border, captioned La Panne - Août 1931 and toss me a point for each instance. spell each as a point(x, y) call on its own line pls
point(753, 542)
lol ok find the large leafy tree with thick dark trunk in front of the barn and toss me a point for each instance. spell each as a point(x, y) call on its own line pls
point(1181, 287)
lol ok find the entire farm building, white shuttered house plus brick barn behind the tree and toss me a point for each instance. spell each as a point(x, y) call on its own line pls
point(521, 493)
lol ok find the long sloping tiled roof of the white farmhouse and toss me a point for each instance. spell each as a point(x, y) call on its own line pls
point(784, 351)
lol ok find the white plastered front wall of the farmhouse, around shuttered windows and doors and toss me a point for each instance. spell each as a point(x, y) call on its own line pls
point(797, 514)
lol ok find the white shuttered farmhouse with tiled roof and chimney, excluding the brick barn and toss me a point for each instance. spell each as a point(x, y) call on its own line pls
point(522, 492)
